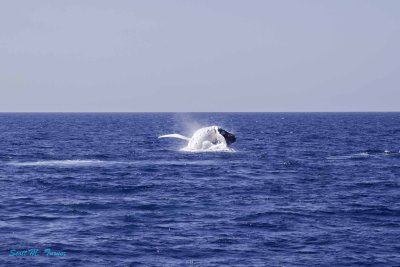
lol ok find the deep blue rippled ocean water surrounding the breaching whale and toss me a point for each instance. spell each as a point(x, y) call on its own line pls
point(302, 189)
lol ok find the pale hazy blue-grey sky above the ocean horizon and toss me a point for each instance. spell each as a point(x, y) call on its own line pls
point(299, 55)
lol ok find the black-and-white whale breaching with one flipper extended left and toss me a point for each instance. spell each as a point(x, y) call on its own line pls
point(207, 138)
